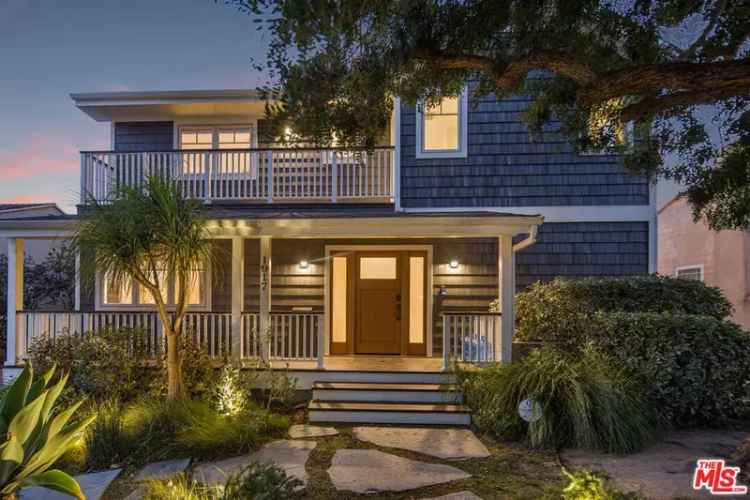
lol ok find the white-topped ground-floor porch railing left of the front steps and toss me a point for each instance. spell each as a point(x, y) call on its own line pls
point(290, 336)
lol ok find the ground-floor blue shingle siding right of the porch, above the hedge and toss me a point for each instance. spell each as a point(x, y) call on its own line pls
point(578, 249)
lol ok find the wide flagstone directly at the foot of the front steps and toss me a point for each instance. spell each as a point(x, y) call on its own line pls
point(441, 443)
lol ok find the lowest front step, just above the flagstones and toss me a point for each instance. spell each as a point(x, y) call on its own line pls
point(388, 413)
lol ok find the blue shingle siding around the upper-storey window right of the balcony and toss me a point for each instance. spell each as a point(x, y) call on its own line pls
point(506, 168)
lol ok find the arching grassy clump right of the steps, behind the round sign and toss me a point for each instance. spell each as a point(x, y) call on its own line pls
point(586, 402)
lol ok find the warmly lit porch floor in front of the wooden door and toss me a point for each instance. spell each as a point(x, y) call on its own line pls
point(362, 363)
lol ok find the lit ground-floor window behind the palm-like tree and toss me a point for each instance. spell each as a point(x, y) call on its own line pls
point(113, 295)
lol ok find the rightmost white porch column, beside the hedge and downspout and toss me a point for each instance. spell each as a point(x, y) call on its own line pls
point(506, 274)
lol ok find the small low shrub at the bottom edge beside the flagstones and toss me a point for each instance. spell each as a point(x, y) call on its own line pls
point(261, 482)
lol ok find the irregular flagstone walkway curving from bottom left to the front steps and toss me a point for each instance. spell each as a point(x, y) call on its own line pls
point(353, 470)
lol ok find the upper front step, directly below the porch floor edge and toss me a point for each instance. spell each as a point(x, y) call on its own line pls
point(387, 392)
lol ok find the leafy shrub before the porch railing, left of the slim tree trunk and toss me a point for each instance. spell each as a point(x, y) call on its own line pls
point(102, 366)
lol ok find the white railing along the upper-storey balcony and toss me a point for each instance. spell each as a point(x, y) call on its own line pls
point(248, 175)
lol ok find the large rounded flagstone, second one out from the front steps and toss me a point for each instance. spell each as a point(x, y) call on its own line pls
point(365, 471)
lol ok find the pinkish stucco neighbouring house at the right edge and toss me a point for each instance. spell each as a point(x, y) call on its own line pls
point(691, 250)
